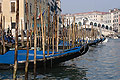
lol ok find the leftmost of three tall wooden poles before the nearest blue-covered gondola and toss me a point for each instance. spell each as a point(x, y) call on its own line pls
point(16, 40)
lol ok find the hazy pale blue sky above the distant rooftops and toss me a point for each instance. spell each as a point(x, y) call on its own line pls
point(78, 6)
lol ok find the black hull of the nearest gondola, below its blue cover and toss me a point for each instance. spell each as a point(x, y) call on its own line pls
point(50, 61)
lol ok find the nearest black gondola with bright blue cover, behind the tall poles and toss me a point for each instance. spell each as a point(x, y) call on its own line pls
point(7, 60)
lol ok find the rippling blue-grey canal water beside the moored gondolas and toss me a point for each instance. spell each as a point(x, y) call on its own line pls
point(101, 62)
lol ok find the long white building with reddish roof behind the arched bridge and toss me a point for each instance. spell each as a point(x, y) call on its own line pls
point(94, 17)
